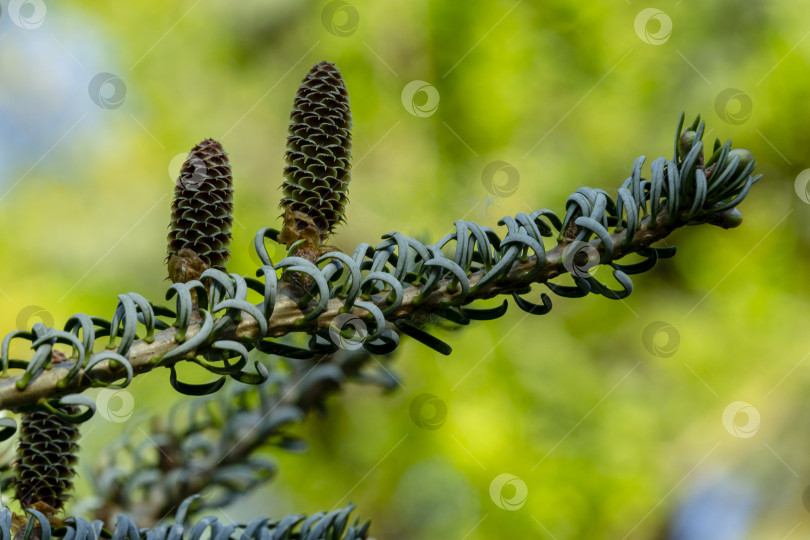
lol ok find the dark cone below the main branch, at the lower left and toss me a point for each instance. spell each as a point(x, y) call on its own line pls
point(46, 456)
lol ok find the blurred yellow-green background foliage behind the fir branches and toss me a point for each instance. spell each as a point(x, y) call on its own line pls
point(611, 435)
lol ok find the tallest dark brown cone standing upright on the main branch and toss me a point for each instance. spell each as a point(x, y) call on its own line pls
point(316, 178)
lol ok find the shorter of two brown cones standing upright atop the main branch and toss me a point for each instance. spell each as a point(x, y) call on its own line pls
point(201, 213)
